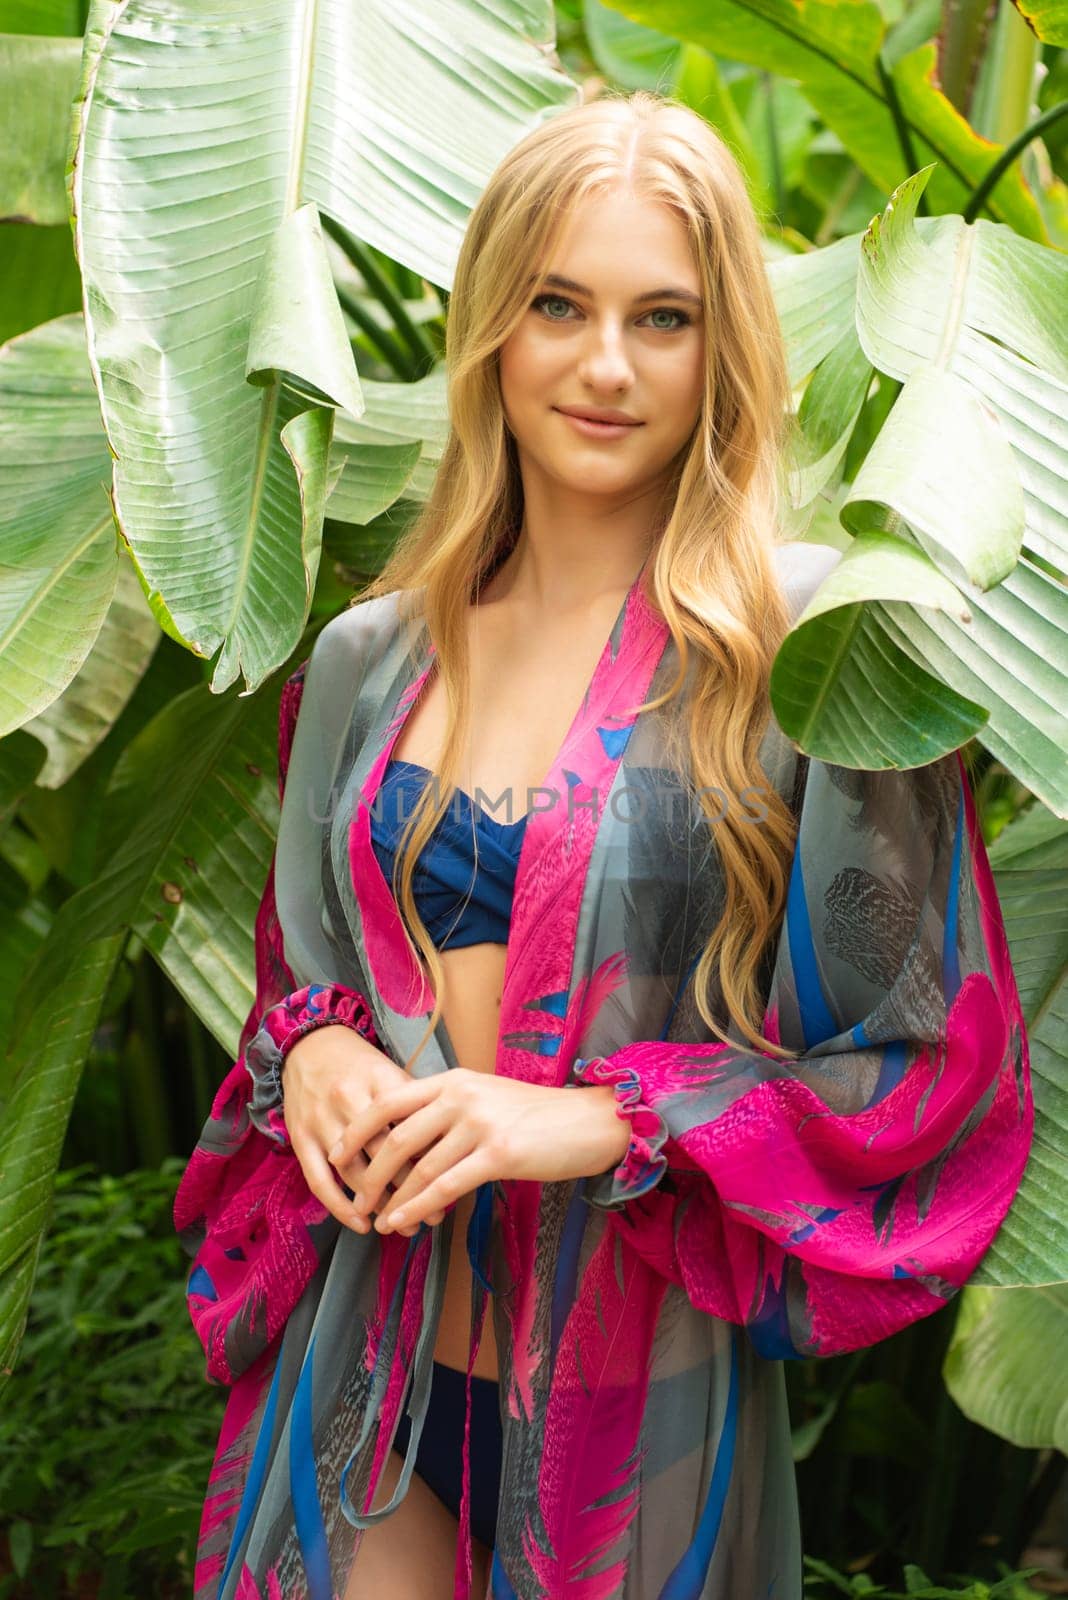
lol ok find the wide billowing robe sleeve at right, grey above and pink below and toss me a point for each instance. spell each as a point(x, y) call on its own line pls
point(831, 1201)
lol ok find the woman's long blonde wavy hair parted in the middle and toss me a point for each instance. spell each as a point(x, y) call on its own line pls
point(712, 575)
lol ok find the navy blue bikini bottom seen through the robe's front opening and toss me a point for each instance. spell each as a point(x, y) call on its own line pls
point(440, 1457)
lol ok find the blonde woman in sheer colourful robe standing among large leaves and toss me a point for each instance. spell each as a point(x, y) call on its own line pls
point(683, 1054)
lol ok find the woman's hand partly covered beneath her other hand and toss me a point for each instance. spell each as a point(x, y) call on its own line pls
point(330, 1078)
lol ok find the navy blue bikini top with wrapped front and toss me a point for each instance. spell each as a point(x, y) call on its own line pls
point(461, 900)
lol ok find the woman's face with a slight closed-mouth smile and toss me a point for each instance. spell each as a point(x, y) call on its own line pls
point(615, 324)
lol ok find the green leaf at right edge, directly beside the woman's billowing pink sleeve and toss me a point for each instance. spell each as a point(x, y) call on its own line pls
point(1030, 862)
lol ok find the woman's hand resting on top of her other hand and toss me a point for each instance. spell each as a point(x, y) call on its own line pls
point(456, 1130)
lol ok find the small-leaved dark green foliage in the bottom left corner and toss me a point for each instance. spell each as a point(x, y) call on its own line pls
point(108, 1426)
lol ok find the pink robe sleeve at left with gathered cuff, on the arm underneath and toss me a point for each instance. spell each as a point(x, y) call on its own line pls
point(244, 1210)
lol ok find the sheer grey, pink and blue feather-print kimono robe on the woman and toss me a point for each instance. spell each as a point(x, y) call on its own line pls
point(763, 1210)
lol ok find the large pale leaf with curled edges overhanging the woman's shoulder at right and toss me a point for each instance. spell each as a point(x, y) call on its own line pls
point(973, 468)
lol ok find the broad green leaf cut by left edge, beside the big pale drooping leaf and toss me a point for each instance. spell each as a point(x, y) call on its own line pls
point(58, 538)
